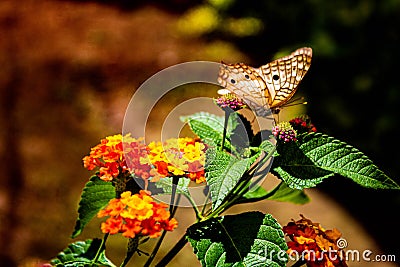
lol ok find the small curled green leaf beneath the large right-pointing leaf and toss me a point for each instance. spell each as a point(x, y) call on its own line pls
point(281, 192)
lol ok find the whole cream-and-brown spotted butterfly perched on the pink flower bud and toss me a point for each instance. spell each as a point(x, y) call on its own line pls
point(267, 88)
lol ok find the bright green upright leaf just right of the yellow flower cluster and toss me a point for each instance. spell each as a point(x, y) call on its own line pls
point(223, 171)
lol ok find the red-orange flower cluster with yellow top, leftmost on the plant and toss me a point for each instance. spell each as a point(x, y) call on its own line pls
point(111, 154)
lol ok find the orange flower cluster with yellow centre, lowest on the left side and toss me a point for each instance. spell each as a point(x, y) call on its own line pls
point(136, 215)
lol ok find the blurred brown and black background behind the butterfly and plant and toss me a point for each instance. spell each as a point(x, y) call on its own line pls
point(69, 69)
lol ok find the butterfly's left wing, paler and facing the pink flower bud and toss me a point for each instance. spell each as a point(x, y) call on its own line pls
point(245, 82)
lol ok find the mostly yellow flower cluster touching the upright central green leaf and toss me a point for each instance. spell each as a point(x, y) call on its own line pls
point(177, 157)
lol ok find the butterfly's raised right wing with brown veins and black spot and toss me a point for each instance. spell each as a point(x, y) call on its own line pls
point(282, 76)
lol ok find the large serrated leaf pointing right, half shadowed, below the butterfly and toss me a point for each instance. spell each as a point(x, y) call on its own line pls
point(316, 156)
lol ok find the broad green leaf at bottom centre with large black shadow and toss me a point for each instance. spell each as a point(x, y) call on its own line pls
point(224, 242)
